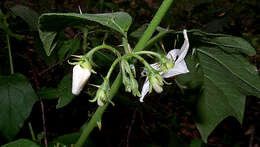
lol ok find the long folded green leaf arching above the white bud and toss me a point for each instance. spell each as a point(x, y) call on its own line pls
point(119, 21)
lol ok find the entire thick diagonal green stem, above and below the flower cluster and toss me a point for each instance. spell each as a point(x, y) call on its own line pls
point(117, 83)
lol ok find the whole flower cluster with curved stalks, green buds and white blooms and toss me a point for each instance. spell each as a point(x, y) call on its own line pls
point(170, 65)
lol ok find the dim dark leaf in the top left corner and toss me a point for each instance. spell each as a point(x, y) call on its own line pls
point(27, 14)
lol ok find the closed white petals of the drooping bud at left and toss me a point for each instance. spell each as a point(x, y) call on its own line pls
point(80, 77)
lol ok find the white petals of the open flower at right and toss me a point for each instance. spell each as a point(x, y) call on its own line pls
point(180, 67)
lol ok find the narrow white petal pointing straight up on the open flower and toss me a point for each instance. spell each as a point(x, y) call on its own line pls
point(184, 49)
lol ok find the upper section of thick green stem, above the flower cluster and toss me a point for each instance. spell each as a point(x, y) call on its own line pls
point(154, 23)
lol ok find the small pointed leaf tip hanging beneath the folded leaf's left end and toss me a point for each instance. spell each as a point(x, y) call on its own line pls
point(47, 39)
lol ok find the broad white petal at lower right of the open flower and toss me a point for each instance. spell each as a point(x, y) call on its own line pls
point(179, 68)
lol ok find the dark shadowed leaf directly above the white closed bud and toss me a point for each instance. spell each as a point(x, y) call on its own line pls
point(68, 48)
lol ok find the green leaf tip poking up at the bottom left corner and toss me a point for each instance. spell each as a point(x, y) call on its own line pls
point(21, 143)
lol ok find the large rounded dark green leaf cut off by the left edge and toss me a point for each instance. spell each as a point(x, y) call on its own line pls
point(16, 101)
